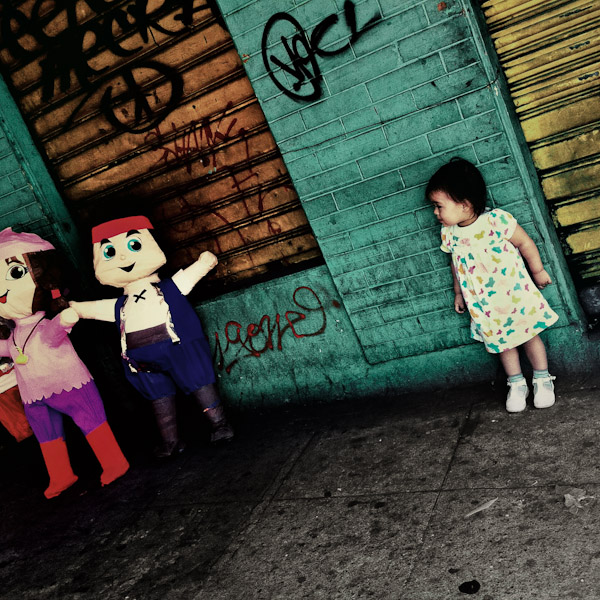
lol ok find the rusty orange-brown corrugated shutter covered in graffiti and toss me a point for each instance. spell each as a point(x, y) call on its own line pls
point(149, 100)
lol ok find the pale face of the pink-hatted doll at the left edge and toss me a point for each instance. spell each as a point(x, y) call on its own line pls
point(17, 288)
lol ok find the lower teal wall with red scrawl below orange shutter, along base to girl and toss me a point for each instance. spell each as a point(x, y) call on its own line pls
point(326, 366)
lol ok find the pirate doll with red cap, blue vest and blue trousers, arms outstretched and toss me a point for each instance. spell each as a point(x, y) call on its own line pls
point(163, 347)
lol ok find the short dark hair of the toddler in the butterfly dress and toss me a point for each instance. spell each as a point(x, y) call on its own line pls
point(461, 180)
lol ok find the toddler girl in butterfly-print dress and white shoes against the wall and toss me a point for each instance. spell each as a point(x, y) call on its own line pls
point(490, 279)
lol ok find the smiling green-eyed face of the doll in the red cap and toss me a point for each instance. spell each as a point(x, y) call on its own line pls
point(126, 256)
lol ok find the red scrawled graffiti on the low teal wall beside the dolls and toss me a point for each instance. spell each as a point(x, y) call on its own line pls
point(268, 334)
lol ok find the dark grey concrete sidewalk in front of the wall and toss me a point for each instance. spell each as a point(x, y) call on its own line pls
point(361, 500)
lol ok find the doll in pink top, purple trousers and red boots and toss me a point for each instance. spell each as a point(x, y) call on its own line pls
point(52, 379)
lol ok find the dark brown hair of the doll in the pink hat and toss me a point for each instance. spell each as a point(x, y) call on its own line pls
point(49, 271)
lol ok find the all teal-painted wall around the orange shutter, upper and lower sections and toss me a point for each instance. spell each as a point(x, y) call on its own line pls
point(411, 92)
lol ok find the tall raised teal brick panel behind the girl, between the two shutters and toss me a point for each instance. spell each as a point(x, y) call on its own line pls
point(414, 90)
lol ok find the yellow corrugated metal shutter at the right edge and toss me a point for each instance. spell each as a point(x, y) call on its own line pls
point(550, 52)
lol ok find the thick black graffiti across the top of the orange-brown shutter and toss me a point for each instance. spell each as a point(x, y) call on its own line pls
point(66, 54)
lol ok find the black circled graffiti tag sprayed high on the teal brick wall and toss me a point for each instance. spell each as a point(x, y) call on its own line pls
point(300, 52)
